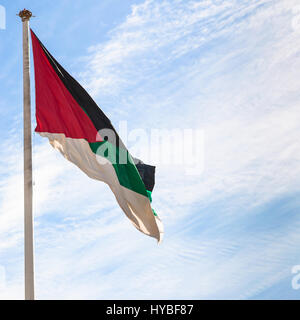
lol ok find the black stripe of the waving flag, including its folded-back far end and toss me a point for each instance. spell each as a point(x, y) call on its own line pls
point(96, 115)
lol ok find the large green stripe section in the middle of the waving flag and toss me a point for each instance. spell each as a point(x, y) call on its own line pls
point(122, 162)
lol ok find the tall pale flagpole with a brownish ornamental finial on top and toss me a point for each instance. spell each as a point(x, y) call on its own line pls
point(25, 15)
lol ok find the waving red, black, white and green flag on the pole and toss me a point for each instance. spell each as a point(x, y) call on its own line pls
point(78, 128)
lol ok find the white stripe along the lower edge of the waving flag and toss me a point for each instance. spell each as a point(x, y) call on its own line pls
point(136, 206)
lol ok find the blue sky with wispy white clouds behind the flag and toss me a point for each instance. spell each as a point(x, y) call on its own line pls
point(228, 69)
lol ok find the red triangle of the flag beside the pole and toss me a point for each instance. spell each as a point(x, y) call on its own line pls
point(56, 109)
